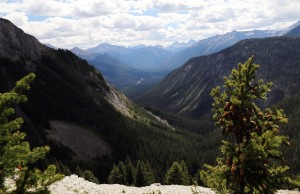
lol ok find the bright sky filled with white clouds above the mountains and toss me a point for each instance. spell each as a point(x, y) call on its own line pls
point(87, 23)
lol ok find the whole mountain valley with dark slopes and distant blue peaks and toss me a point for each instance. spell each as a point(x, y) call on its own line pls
point(100, 106)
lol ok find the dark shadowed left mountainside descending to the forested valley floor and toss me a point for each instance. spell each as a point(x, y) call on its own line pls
point(84, 120)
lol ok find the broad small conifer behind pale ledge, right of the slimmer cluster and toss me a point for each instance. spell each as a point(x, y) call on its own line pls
point(177, 174)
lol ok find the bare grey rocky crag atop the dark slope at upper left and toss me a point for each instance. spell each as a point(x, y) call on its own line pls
point(15, 43)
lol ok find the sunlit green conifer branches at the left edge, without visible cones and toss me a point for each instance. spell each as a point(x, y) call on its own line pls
point(16, 157)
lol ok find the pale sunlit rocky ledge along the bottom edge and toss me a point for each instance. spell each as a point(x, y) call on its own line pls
point(74, 184)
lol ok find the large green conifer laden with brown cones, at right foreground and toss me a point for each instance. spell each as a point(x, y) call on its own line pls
point(251, 153)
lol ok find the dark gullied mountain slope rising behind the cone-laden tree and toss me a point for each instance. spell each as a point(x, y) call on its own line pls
point(186, 90)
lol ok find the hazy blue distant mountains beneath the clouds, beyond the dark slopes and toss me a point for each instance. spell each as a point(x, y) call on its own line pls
point(152, 63)
